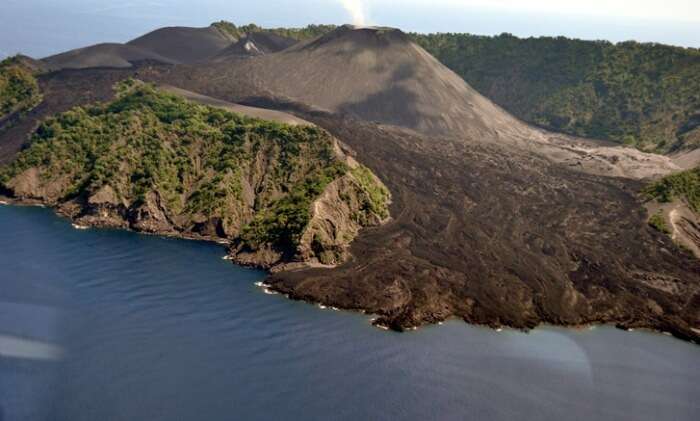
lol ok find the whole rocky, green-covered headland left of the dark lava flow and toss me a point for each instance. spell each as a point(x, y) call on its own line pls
point(152, 162)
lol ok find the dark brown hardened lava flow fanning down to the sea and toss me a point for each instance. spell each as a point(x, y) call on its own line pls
point(502, 238)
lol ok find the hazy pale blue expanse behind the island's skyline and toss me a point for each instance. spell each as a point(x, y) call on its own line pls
point(43, 27)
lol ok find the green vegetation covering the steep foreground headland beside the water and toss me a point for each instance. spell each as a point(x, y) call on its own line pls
point(199, 160)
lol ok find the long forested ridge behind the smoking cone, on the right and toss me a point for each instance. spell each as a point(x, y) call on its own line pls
point(643, 95)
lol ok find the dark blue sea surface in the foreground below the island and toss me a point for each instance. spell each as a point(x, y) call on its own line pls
point(109, 325)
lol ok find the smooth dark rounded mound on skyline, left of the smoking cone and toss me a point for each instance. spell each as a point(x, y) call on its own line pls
point(183, 44)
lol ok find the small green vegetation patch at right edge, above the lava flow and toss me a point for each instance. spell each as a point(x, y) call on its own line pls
point(684, 185)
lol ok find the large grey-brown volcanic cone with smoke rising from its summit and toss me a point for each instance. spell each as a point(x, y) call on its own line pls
point(374, 74)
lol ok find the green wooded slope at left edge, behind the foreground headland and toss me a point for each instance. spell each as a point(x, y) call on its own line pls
point(19, 90)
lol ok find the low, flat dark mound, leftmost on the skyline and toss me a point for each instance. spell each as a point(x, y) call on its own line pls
point(102, 55)
